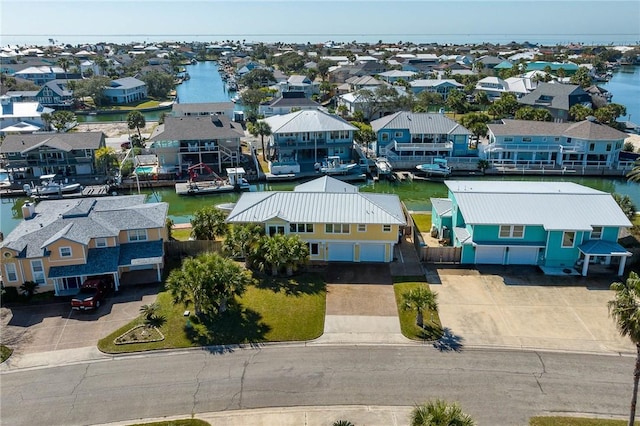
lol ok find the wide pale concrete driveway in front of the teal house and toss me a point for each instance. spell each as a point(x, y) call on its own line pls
point(523, 308)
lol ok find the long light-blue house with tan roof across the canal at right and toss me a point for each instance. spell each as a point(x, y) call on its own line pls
point(538, 144)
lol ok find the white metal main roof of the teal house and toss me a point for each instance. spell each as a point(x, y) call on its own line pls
point(553, 205)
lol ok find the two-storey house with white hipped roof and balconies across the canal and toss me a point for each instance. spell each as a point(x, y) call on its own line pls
point(302, 139)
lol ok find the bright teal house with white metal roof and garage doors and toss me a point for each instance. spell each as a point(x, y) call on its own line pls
point(562, 227)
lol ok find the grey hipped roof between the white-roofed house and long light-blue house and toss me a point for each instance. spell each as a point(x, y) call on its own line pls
point(420, 123)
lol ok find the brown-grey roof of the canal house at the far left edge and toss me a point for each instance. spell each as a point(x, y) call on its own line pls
point(62, 141)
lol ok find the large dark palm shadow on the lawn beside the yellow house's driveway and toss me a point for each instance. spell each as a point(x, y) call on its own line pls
point(237, 325)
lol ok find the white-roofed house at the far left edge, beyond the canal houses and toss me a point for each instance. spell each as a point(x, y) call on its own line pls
point(15, 116)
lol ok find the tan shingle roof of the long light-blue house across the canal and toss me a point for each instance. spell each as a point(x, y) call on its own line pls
point(585, 129)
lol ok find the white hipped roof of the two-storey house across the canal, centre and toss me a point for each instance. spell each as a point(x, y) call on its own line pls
point(307, 121)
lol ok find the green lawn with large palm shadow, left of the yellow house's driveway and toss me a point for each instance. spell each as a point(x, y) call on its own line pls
point(273, 311)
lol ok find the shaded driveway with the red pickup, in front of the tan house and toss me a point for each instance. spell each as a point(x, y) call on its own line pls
point(55, 326)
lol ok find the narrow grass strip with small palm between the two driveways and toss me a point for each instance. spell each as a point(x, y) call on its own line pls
point(432, 327)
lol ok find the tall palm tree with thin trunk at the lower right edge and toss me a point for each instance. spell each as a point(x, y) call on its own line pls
point(625, 310)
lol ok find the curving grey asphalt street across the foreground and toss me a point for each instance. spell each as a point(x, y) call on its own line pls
point(495, 387)
